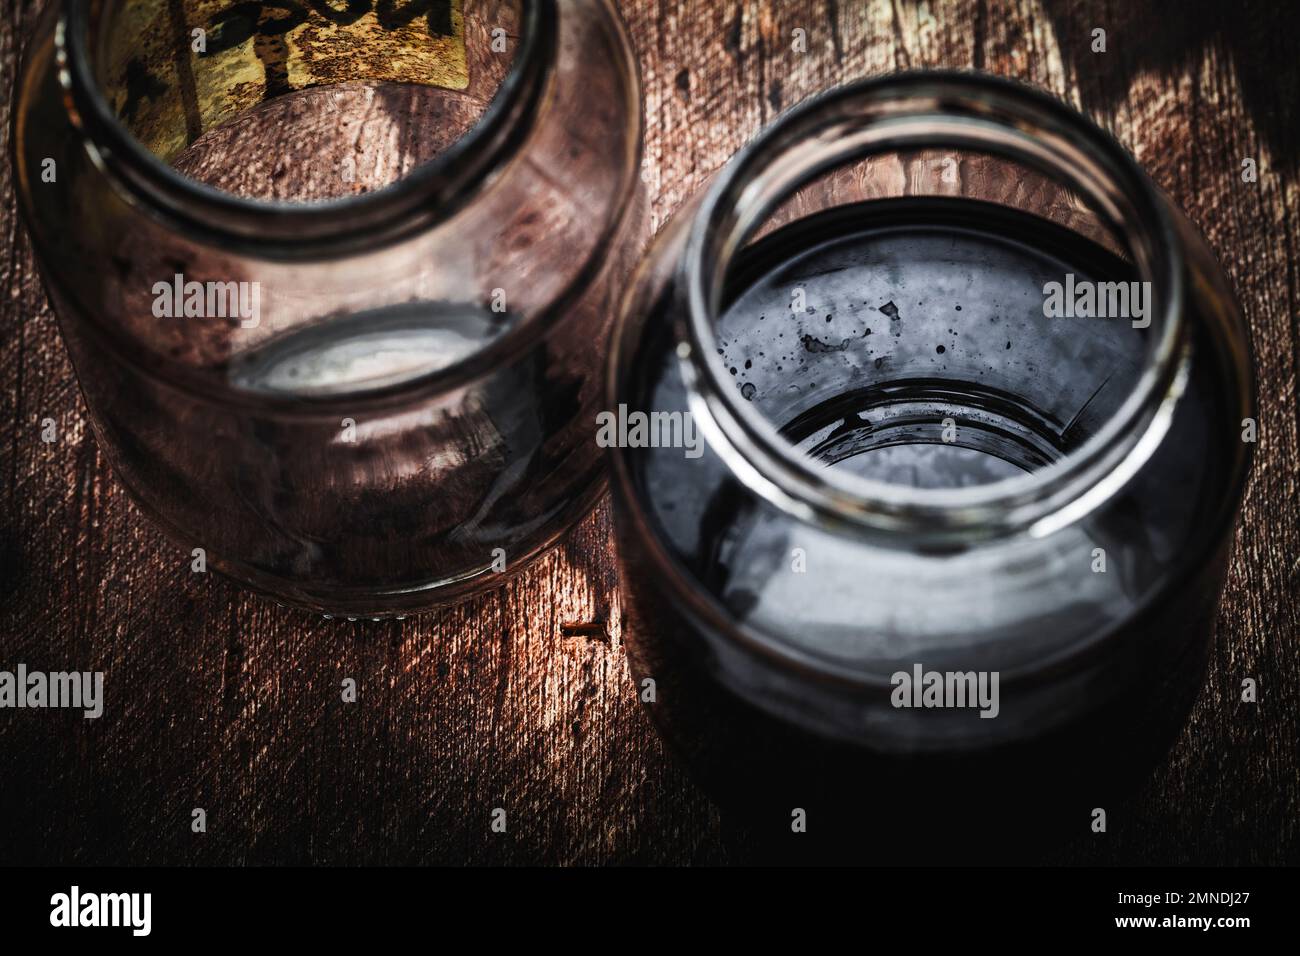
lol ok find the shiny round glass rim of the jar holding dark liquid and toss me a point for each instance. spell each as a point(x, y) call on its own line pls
point(933, 110)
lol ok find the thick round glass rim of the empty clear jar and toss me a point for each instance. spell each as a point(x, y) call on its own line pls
point(424, 197)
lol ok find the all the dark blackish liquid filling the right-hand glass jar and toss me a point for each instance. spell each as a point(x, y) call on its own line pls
point(863, 334)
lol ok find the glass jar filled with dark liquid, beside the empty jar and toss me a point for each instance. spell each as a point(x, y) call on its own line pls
point(917, 544)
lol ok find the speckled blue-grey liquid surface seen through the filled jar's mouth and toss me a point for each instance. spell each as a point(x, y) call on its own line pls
point(918, 354)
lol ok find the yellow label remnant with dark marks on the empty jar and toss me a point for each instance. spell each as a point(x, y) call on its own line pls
point(174, 70)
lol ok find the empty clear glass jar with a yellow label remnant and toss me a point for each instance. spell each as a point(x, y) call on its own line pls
point(330, 274)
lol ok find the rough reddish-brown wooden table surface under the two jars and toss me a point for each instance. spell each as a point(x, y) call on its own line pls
point(522, 699)
